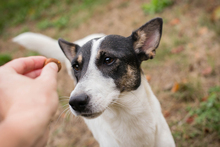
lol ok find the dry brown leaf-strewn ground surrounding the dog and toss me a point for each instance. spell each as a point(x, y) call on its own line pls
point(185, 67)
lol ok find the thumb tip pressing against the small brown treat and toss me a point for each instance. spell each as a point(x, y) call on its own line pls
point(49, 72)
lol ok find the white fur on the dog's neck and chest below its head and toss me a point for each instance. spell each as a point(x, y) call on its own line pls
point(137, 113)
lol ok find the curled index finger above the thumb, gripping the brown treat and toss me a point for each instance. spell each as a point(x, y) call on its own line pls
point(27, 64)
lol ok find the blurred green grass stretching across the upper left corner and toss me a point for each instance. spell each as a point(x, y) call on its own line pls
point(49, 13)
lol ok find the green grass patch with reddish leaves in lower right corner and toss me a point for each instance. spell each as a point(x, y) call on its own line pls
point(201, 125)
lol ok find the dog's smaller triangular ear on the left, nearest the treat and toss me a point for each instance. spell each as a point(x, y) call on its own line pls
point(68, 48)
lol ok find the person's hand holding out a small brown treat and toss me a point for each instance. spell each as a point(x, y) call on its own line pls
point(28, 97)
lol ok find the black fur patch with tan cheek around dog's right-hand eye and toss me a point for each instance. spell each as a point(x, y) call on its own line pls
point(126, 69)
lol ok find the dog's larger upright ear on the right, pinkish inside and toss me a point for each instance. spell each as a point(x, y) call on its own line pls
point(146, 39)
